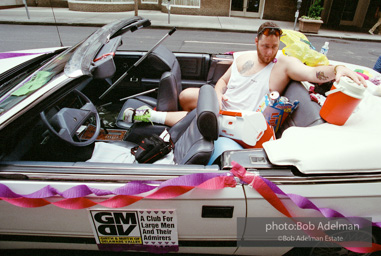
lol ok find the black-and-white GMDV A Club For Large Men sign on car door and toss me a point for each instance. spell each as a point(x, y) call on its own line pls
point(134, 229)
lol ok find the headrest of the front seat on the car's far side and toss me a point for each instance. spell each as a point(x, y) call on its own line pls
point(161, 59)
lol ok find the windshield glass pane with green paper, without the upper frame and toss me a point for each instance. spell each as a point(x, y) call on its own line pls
point(31, 80)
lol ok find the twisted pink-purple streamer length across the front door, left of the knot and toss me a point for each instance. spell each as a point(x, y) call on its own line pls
point(74, 198)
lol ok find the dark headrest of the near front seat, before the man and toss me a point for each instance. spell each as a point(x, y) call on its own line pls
point(207, 112)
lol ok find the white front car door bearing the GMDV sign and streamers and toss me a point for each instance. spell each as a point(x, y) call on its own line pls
point(44, 215)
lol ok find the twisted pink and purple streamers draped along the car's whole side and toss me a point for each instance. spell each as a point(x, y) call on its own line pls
point(74, 198)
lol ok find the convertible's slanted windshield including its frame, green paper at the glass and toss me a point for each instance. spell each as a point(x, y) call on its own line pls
point(75, 62)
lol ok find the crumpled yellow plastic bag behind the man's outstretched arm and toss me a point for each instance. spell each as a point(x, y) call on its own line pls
point(298, 46)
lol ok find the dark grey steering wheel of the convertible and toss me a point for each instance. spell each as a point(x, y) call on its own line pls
point(68, 120)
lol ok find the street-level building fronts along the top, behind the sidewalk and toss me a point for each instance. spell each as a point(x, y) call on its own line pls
point(351, 14)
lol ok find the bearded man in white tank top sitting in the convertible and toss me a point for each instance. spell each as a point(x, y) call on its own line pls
point(252, 75)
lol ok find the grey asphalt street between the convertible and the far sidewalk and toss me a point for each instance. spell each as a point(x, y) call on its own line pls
point(21, 37)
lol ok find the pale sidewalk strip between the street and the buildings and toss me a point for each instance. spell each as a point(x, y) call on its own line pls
point(63, 16)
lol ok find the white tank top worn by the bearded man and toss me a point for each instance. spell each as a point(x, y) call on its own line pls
point(246, 92)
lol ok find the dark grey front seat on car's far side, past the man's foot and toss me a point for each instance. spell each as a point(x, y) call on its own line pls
point(162, 60)
